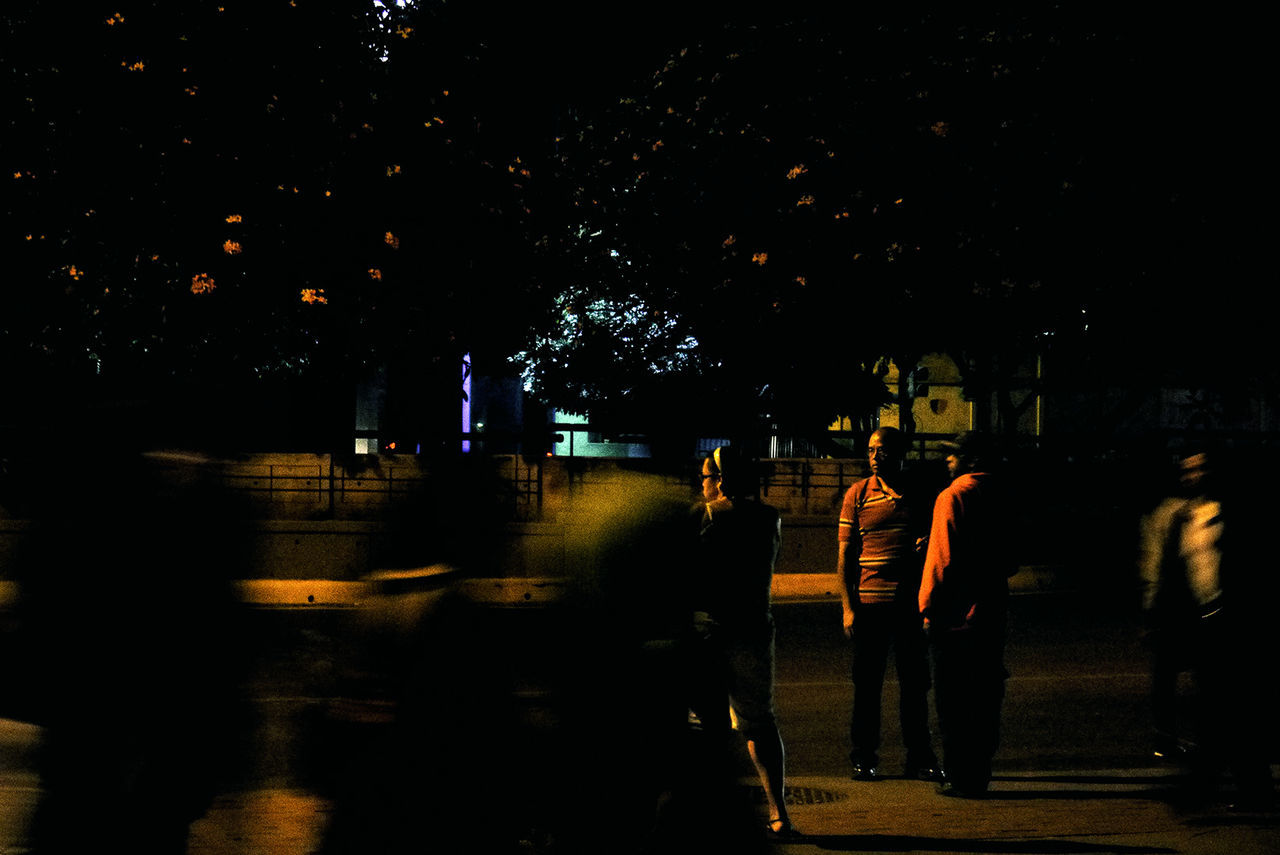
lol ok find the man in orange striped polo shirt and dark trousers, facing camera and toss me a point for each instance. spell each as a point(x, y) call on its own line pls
point(881, 537)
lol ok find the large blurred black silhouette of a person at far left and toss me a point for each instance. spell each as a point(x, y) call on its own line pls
point(135, 657)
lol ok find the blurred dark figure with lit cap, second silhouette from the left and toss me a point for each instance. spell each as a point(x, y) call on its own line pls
point(418, 751)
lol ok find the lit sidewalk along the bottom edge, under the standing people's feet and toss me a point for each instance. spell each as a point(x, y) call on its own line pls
point(1121, 812)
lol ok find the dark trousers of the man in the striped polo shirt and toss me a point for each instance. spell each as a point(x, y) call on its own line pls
point(877, 629)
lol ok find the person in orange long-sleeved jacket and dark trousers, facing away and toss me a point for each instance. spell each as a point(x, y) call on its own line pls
point(964, 601)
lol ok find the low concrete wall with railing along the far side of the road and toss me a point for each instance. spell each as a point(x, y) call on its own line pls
point(310, 518)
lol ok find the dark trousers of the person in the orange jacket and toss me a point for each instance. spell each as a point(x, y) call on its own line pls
point(970, 689)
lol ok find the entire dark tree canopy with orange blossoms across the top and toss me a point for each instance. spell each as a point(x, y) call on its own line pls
point(670, 213)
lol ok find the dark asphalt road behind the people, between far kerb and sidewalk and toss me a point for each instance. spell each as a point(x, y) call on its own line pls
point(1077, 698)
